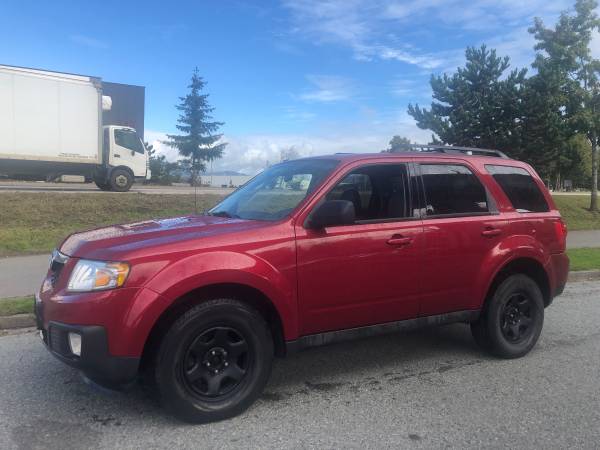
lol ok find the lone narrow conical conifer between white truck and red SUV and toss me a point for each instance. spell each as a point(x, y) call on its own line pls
point(199, 141)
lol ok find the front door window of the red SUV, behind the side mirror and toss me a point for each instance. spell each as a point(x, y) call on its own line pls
point(378, 192)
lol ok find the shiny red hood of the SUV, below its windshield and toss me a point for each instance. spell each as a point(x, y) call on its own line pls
point(110, 242)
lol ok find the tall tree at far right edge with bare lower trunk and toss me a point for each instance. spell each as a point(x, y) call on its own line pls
point(565, 61)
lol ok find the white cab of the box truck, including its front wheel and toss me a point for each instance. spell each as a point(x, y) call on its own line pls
point(126, 159)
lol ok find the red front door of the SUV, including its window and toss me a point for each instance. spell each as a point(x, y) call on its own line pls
point(368, 272)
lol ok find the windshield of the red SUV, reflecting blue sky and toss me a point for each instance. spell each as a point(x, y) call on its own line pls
point(276, 192)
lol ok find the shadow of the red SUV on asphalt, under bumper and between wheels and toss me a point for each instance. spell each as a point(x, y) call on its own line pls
point(360, 364)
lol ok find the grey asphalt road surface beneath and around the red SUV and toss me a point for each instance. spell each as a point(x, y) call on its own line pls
point(426, 389)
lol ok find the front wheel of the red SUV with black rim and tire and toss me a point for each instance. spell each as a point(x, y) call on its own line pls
point(214, 361)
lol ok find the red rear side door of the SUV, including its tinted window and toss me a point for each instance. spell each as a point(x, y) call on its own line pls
point(461, 226)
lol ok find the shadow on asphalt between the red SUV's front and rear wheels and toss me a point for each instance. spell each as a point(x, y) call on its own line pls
point(395, 357)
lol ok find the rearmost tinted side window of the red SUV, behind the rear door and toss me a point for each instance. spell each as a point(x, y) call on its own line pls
point(520, 188)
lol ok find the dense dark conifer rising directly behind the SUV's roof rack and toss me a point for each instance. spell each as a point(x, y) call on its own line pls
point(478, 106)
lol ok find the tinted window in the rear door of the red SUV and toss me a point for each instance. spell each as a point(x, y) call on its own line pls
point(452, 189)
